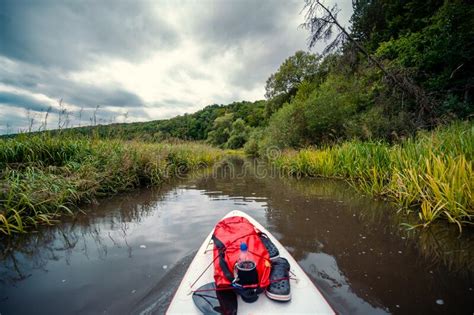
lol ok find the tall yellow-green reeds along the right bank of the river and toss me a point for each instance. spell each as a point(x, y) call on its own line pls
point(431, 174)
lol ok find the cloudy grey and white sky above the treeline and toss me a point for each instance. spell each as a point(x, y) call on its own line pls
point(125, 61)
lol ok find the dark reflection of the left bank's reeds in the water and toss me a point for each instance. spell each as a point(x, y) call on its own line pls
point(22, 253)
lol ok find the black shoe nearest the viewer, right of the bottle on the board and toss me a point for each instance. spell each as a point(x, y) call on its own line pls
point(279, 288)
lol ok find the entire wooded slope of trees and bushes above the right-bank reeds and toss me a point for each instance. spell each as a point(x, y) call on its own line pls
point(428, 43)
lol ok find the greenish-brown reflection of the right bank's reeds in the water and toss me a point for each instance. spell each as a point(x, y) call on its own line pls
point(440, 243)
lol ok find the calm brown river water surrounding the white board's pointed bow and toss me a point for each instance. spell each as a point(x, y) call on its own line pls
point(128, 254)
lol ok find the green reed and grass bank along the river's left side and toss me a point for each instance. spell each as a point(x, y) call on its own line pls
point(44, 177)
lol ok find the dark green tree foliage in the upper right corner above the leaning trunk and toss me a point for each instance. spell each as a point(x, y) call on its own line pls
point(439, 55)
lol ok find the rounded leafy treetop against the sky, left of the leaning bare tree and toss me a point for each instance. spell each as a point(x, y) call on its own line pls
point(292, 72)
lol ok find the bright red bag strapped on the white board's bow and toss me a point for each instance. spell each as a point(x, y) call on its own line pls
point(229, 233)
